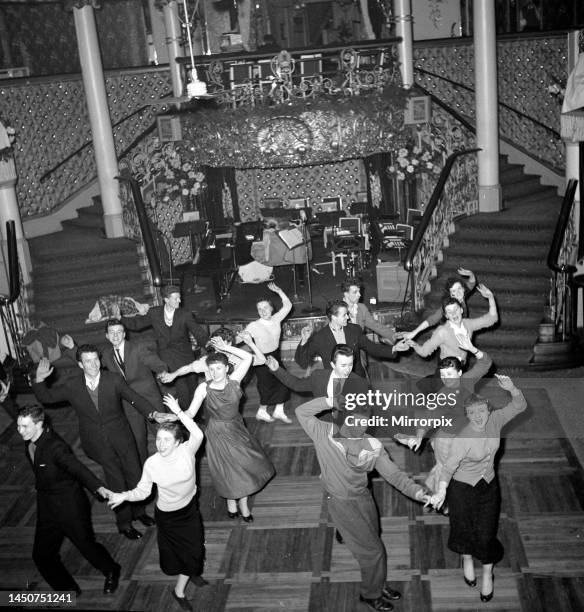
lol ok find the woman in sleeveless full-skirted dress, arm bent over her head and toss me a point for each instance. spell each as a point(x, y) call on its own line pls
point(237, 463)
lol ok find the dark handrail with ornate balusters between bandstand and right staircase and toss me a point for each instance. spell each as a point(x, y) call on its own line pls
point(421, 234)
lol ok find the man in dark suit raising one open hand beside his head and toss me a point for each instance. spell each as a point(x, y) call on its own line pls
point(105, 434)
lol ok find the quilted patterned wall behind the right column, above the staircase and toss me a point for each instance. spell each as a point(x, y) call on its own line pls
point(526, 66)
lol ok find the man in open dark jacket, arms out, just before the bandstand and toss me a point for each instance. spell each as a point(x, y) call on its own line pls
point(340, 331)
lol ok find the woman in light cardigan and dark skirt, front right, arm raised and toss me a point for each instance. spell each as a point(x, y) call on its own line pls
point(473, 495)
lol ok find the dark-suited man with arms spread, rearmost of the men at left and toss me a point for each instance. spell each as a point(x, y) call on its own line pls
point(172, 327)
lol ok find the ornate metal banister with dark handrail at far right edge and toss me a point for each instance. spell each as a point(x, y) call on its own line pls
point(562, 254)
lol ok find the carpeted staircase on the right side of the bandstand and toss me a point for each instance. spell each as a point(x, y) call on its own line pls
point(507, 251)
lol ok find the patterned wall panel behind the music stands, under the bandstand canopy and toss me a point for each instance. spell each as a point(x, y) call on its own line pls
point(344, 179)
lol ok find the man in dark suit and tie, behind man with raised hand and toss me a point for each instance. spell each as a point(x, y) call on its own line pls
point(135, 362)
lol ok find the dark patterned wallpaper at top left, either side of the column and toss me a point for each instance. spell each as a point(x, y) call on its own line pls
point(42, 36)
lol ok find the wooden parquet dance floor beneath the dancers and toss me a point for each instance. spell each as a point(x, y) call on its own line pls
point(288, 559)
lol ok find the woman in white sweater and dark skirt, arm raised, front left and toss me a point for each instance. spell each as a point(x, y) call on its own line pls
point(180, 529)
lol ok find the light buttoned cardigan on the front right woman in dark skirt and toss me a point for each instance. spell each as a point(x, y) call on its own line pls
point(472, 453)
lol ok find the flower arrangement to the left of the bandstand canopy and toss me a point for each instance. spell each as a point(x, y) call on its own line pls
point(173, 177)
